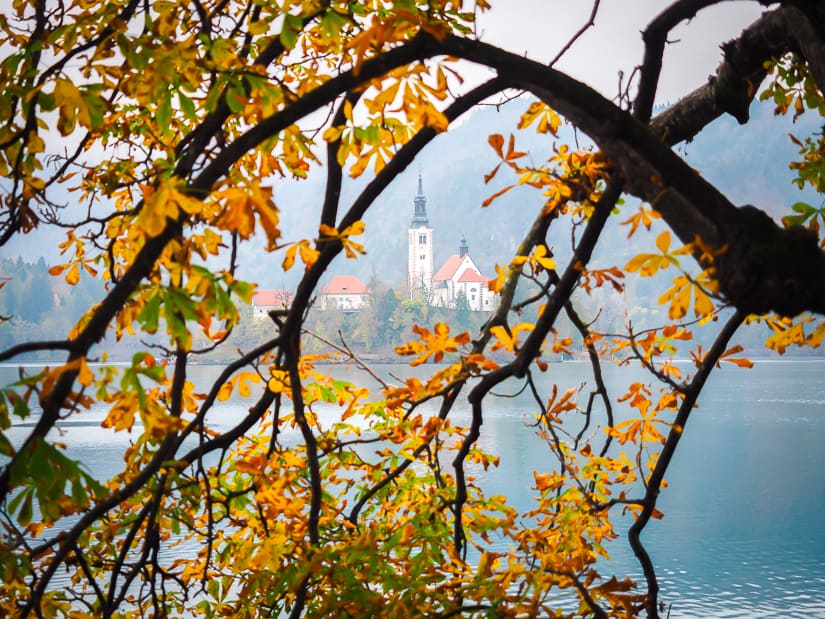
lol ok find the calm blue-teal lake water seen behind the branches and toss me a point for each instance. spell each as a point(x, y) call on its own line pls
point(743, 532)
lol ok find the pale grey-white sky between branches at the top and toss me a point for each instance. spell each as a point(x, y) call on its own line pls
point(541, 28)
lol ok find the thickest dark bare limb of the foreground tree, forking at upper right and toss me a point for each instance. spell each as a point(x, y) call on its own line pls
point(791, 282)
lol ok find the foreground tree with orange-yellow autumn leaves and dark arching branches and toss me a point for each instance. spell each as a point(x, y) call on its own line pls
point(169, 125)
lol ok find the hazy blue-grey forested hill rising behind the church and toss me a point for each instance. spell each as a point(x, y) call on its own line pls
point(753, 168)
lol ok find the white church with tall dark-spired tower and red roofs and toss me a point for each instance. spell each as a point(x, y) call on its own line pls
point(457, 283)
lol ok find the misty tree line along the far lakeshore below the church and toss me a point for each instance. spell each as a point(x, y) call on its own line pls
point(35, 305)
